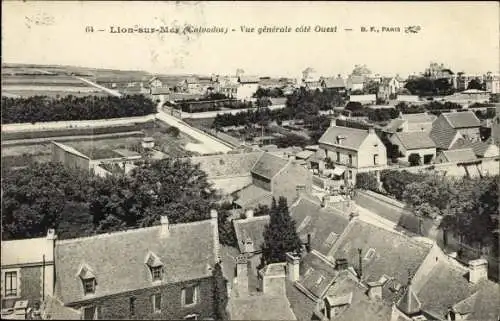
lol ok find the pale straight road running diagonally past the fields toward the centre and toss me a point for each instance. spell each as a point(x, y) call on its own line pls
point(208, 142)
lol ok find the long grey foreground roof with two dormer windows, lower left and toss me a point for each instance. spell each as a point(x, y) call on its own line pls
point(118, 259)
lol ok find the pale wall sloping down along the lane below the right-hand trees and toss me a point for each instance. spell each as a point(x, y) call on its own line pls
point(392, 210)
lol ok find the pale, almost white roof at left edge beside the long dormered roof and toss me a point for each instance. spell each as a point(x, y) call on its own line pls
point(26, 251)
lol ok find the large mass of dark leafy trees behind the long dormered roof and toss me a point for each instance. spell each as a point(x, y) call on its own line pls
point(44, 196)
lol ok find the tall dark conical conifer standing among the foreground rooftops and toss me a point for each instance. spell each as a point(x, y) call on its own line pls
point(280, 235)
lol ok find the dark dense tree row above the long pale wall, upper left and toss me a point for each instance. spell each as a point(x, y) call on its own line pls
point(43, 109)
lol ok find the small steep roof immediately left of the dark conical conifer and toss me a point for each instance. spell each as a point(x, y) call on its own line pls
point(250, 228)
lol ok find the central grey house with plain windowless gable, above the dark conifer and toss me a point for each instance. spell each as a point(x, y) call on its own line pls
point(273, 176)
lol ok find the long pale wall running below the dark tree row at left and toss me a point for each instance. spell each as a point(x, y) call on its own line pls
point(6, 128)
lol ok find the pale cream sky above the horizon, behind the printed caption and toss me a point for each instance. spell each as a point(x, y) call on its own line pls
point(462, 35)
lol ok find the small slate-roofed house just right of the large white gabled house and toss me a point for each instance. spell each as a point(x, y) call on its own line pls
point(418, 143)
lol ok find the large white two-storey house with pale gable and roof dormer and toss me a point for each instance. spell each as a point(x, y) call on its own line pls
point(353, 150)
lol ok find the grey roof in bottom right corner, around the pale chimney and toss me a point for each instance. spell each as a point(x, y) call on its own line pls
point(447, 285)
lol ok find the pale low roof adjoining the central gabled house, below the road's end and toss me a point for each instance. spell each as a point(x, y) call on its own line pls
point(227, 165)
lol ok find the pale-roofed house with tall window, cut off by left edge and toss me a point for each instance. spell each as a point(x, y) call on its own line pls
point(27, 271)
